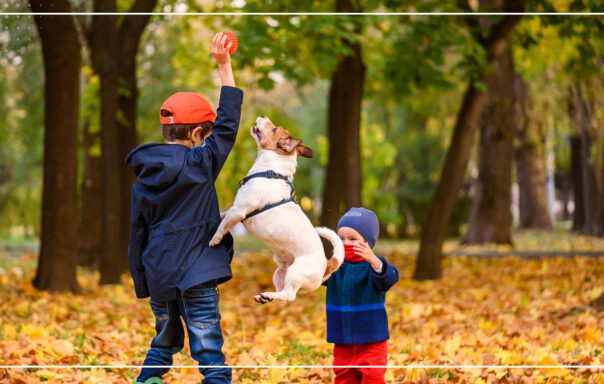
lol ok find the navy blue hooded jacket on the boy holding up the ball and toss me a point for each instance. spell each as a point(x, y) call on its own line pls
point(175, 210)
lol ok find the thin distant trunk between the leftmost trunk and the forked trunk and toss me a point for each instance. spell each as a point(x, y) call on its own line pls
point(92, 202)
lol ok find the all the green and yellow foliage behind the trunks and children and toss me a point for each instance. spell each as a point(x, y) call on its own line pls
point(417, 70)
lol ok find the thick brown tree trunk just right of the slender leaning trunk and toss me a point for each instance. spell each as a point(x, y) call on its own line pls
point(490, 218)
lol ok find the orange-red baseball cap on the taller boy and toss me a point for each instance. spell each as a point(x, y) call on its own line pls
point(187, 108)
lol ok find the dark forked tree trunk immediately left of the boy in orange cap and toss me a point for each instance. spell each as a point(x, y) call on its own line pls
point(114, 49)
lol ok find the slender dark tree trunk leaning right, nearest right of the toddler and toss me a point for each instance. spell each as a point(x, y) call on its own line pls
point(428, 264)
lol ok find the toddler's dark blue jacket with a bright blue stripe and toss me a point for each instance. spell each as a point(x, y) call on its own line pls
point(355, 303)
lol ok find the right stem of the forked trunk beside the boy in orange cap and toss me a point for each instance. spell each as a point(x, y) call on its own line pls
point(130, 31)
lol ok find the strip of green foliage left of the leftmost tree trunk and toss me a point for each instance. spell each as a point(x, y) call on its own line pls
point(21, 125)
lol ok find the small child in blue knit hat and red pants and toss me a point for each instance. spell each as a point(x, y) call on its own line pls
point(356, 315)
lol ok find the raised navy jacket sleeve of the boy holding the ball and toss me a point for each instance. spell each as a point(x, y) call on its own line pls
point(221, 141)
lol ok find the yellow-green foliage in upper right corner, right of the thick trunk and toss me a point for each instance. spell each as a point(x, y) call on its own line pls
point(552, 53)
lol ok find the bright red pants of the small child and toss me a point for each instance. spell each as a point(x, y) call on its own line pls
point(360, 354)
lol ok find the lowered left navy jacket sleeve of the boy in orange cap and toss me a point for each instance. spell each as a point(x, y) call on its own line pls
point(139, 231)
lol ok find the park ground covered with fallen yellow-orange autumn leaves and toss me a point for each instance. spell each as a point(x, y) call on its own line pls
point(485, 311)
